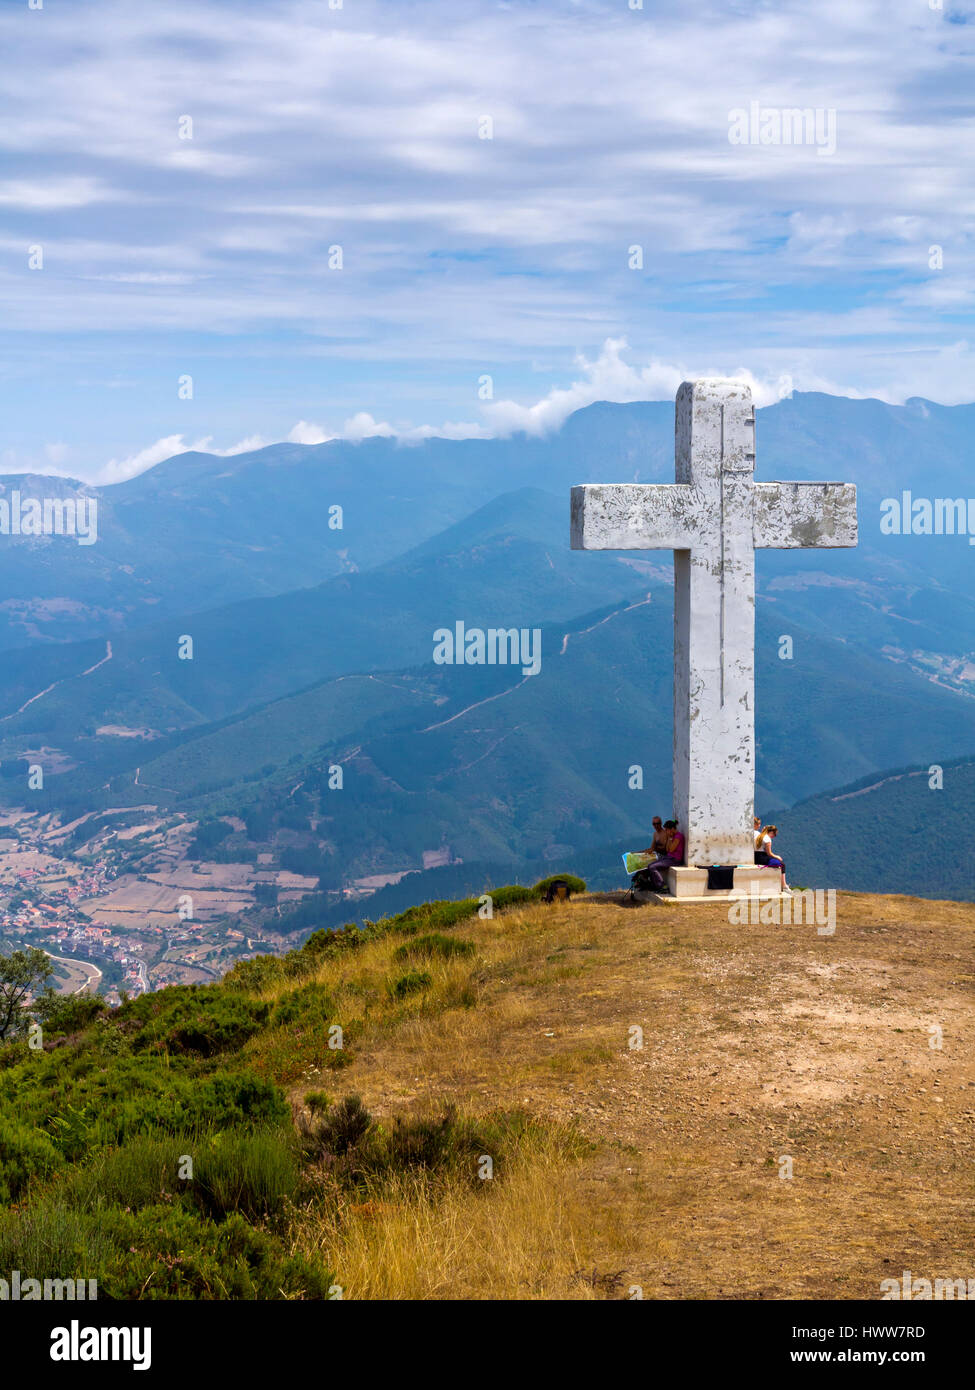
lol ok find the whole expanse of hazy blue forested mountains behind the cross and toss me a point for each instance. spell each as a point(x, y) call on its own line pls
point(314, 647)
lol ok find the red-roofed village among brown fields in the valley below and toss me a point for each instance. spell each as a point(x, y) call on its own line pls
point(122, 911)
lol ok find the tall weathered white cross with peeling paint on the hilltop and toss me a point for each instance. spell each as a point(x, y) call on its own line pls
point(714, 518)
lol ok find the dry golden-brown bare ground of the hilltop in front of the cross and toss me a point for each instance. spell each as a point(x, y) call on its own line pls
point(796, 1120)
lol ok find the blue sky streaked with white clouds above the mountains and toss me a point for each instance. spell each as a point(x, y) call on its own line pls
point(465, 258)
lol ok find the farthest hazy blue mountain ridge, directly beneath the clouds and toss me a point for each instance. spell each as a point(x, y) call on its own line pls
point(200, 530)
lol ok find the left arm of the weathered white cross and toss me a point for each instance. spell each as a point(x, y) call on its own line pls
point(634, 516)
